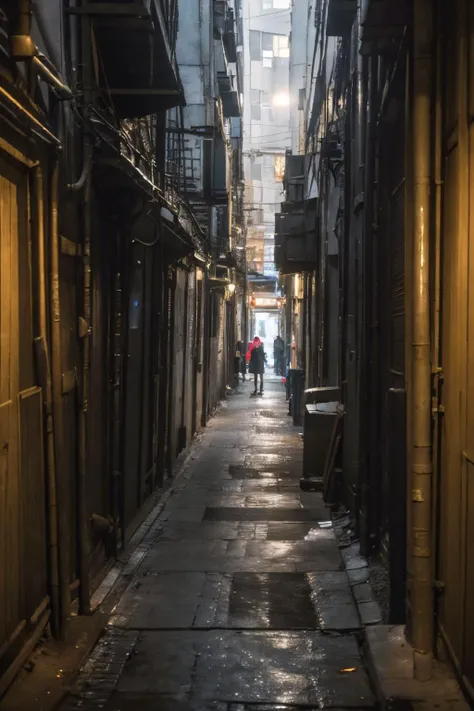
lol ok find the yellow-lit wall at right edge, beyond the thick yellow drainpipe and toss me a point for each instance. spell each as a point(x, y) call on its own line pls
point(456, 487)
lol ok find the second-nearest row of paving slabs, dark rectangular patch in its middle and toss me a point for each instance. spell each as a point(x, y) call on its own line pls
point(185, 600)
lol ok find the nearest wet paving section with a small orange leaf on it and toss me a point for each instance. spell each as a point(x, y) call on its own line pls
point(253, 667)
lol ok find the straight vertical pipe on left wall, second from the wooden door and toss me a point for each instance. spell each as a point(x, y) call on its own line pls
point(56, 378)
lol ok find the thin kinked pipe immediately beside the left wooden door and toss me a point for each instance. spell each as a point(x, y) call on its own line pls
point(44, 375)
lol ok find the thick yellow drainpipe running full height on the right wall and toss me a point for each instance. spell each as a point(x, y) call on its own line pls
point(421, 454)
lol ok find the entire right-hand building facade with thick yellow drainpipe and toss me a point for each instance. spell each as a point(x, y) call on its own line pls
point(385, 150)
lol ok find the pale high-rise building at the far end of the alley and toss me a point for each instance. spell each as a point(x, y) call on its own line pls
point(267, 133)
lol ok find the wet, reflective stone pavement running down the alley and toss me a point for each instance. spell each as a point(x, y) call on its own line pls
point(241, 602)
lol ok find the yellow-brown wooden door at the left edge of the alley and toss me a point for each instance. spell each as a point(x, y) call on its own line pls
point(23, 545)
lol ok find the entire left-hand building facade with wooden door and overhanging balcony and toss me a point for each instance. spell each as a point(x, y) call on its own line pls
point(122, 286)
